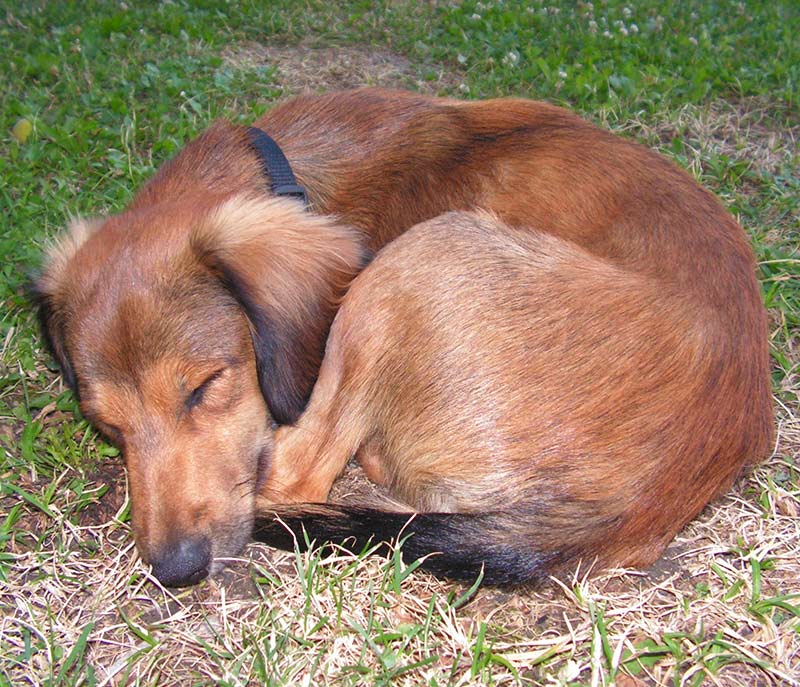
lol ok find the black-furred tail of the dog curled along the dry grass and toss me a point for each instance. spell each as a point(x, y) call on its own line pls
point(459, 546)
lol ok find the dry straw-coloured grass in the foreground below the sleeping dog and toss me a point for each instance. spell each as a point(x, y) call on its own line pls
point(298, 619)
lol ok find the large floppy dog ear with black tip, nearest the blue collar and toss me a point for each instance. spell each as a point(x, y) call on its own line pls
point(288, 269)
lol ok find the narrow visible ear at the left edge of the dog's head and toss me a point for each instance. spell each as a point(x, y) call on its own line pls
point(50, 290)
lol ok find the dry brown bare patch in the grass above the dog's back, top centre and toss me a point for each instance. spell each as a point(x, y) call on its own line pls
point(307, 68)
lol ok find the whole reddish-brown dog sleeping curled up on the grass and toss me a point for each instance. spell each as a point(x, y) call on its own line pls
point(608, 378)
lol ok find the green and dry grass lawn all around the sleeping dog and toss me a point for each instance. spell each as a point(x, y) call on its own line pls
point(111, 90)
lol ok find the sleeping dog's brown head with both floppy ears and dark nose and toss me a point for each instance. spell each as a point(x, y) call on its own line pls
point(188, 330)
